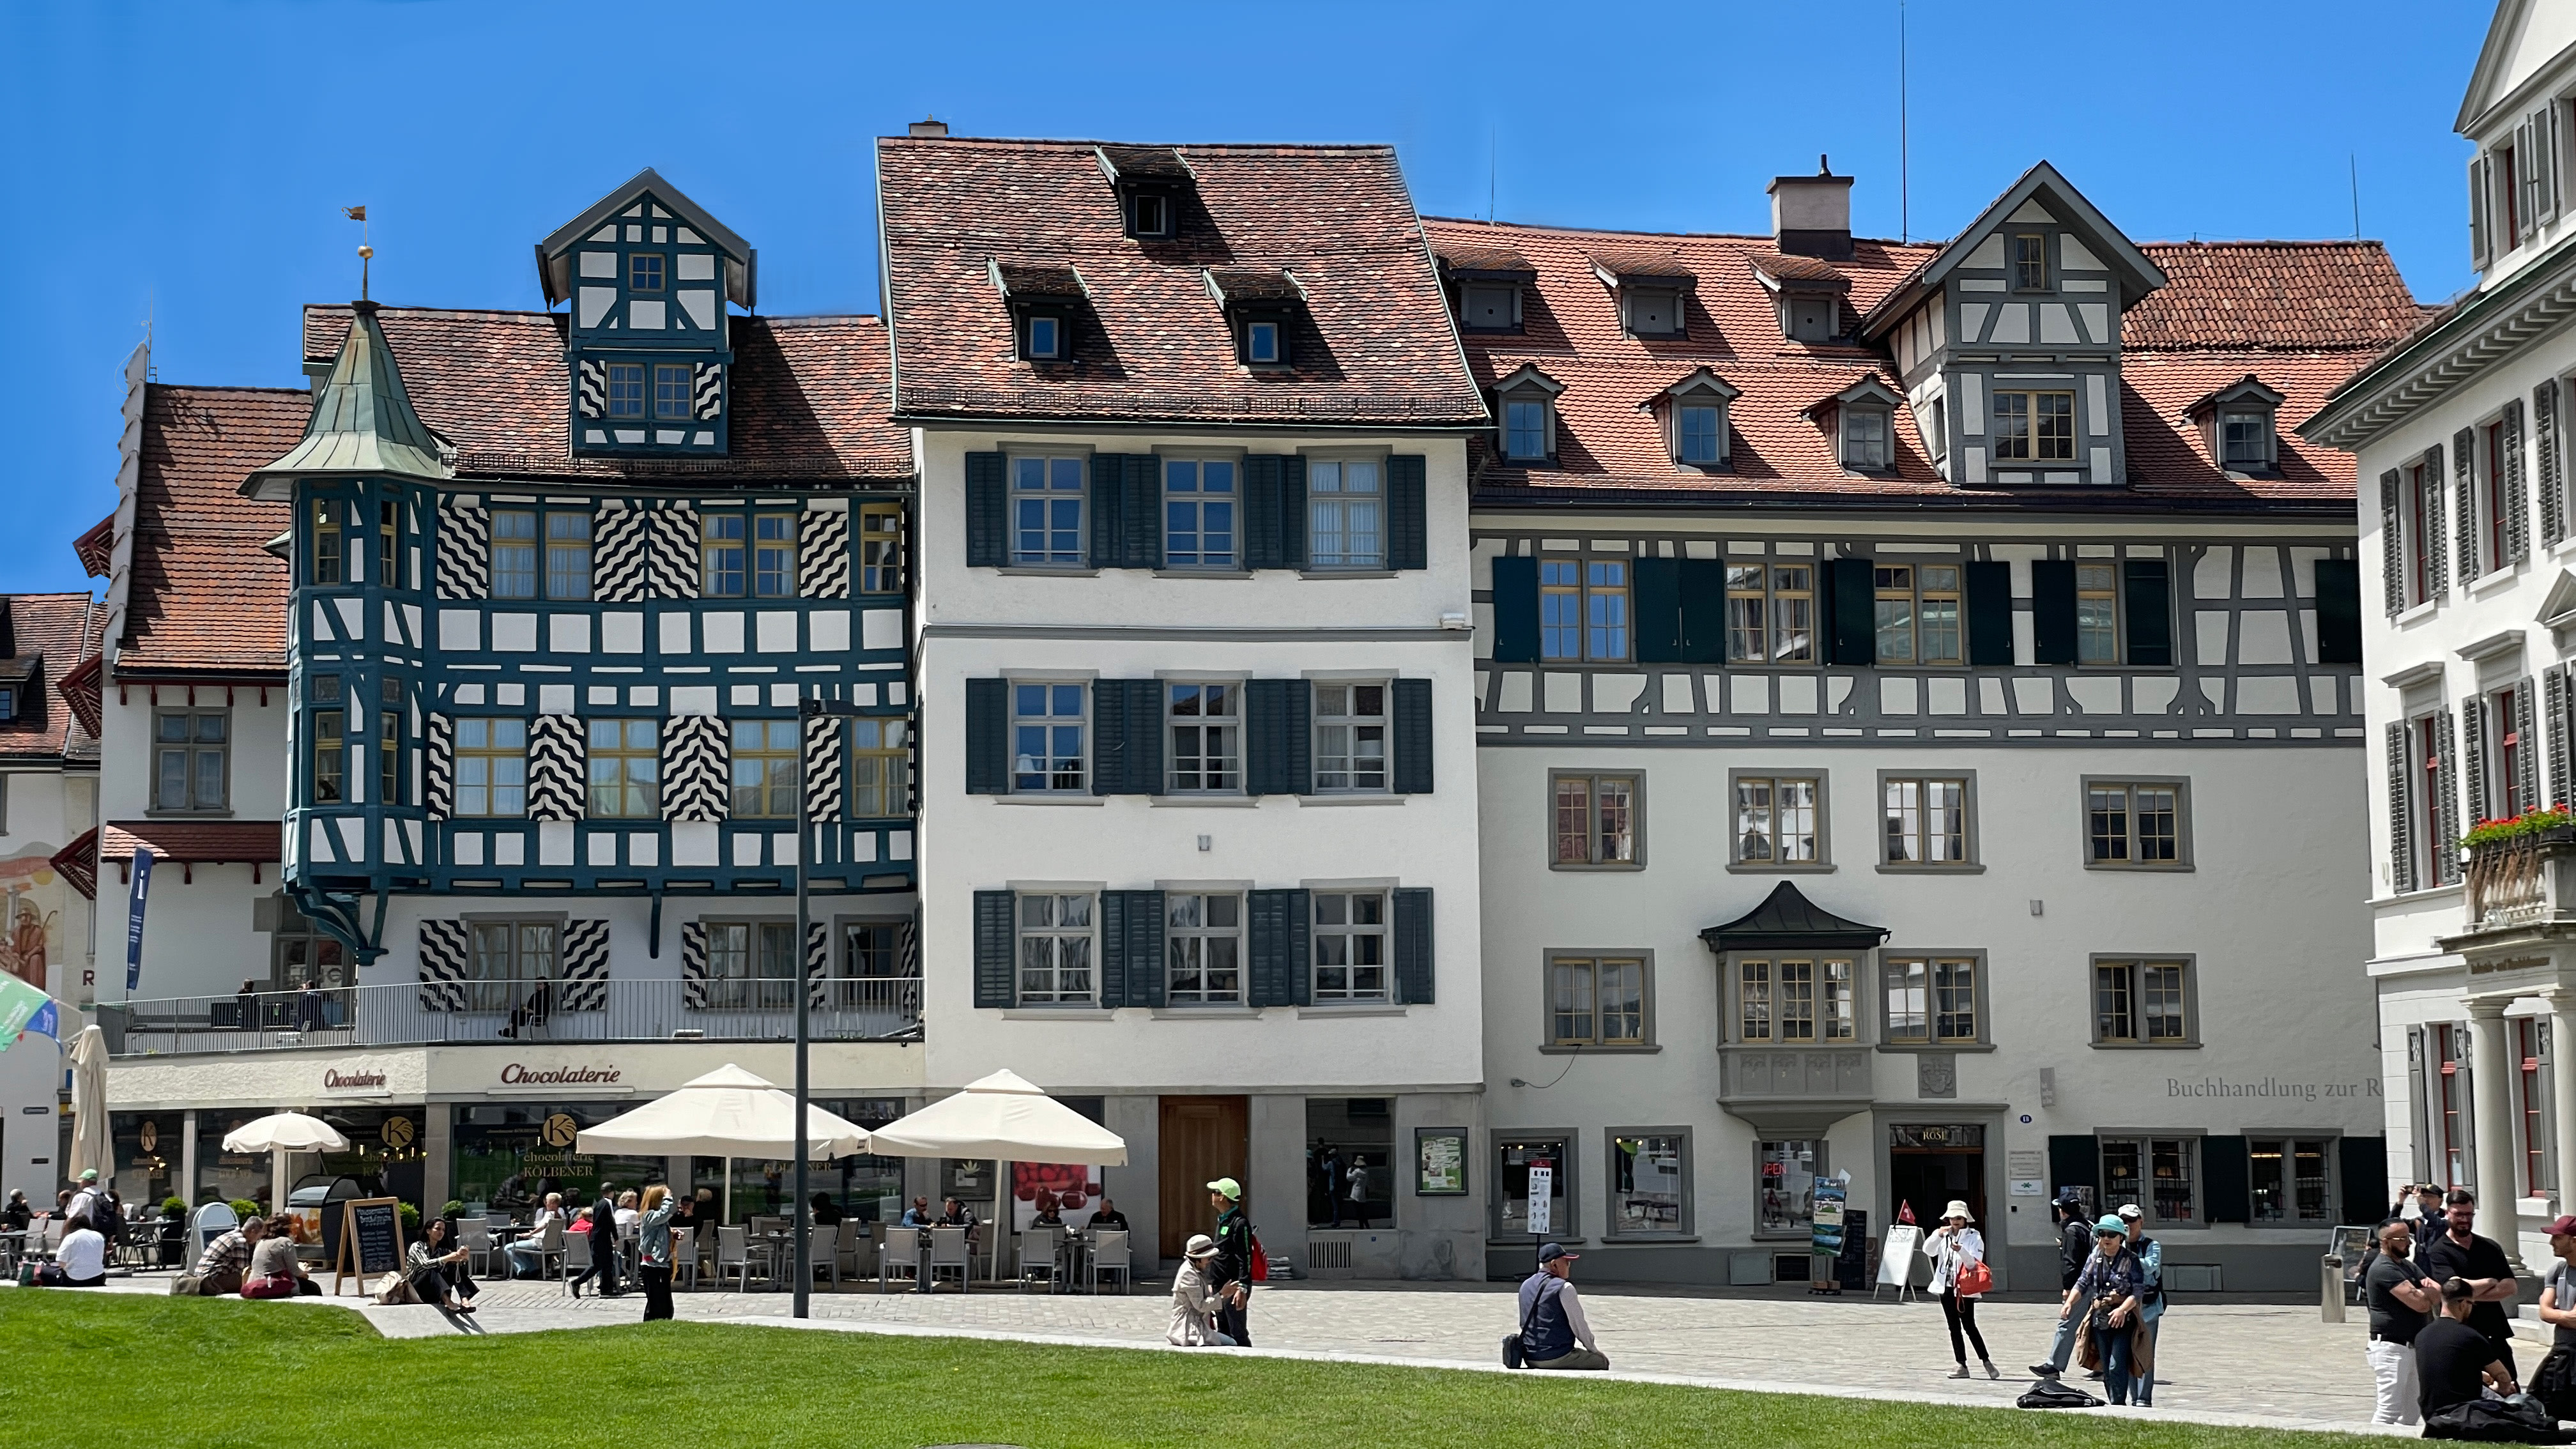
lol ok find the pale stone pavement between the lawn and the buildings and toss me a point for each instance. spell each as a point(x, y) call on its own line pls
point(2219, 1363)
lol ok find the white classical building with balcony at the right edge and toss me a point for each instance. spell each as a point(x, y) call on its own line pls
point(2467, 563)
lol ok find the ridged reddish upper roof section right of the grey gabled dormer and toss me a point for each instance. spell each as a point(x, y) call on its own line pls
point(2304, 298)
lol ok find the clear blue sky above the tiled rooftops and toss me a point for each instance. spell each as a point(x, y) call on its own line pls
point(189, 164)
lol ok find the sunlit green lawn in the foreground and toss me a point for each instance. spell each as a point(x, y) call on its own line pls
point(151, 1373)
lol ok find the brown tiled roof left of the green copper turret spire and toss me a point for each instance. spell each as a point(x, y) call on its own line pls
point(202, 597)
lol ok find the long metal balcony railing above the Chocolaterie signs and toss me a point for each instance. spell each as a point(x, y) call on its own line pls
point(408, 1015)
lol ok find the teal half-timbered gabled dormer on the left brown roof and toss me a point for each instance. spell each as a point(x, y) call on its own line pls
point(648, 275)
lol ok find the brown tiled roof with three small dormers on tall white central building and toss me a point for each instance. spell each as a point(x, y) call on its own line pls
point(1372, 347)
